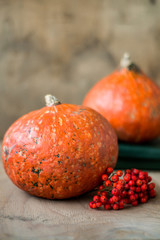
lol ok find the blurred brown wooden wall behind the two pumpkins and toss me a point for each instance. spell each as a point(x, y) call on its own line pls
point(64, 47)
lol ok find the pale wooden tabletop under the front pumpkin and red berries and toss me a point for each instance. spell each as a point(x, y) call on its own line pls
point(24, 217)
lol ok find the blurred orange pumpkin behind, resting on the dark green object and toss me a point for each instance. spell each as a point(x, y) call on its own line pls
point(130, 101)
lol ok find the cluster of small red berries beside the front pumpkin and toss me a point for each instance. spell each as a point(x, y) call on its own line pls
point(118, 189)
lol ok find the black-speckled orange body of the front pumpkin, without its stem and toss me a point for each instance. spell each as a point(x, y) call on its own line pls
point(60, 151)
